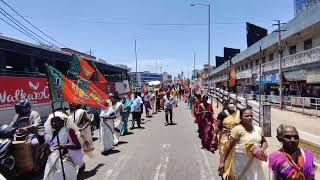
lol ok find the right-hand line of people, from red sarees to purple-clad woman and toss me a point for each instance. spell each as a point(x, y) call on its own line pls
point(243, 147)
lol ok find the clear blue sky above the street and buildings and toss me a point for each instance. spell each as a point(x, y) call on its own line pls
point(166, 31)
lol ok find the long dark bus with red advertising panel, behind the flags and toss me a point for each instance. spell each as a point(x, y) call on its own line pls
point(22, 75)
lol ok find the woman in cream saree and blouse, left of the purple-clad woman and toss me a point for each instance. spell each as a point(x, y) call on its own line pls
point(247, 147)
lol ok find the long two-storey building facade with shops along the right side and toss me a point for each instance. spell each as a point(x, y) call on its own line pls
point(300, 52)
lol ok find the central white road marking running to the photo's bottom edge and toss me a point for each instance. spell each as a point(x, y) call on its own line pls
point(161, 170)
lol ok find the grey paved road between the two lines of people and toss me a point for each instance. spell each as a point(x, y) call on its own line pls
point(157, 152)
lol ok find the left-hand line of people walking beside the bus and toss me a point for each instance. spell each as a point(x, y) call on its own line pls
point(69, 132)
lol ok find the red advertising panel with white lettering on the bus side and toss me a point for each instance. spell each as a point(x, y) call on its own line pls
point(13, 89)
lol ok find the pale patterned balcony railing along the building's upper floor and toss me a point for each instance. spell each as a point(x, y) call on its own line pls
point(304, 57)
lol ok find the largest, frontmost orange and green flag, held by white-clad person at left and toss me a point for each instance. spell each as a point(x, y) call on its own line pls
point(82, 92)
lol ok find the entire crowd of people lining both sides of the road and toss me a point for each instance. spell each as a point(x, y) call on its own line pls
point(240, 142)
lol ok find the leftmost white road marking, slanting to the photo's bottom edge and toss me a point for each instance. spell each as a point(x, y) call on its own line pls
point(113, 173)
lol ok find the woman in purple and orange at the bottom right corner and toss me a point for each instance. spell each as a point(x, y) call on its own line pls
point(291, 162)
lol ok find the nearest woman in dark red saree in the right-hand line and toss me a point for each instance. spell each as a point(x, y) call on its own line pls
point(207, 123)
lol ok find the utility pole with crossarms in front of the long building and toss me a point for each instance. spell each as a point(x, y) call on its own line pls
point(280, 52)
